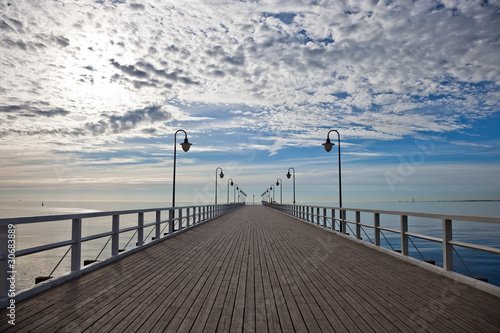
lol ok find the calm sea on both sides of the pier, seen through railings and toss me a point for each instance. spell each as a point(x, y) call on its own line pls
point(57, 261)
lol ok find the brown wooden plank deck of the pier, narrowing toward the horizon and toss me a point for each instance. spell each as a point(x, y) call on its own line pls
point(258, 270)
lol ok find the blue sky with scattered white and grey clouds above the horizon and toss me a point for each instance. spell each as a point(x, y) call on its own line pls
point(92, 92)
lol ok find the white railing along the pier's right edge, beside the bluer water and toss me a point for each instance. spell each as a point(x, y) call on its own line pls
point(326, 217)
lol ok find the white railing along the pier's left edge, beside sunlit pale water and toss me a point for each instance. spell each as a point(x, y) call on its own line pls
point(179, 219)
